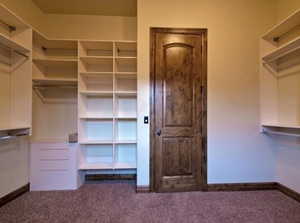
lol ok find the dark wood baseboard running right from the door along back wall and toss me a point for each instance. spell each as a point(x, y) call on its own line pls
point(242, 186)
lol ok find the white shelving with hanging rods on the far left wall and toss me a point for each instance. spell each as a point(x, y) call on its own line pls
point(15, 72)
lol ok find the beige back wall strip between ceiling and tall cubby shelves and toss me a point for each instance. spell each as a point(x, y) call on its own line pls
point(91, 27)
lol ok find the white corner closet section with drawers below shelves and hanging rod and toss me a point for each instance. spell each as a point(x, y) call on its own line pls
point(55, 114)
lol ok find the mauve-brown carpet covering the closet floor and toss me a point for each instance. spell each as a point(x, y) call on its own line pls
point(116, 203)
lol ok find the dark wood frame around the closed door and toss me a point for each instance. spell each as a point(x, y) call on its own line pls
point(203, 32)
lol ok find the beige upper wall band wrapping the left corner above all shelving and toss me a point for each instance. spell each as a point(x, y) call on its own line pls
point(74, 26)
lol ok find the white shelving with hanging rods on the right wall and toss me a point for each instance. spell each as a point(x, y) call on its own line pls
point(280, 77)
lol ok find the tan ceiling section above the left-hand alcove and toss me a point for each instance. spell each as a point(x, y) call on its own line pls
point(89, 7)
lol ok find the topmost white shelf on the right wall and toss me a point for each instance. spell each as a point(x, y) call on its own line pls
point(285, 26)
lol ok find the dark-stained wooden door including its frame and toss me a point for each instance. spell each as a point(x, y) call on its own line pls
point(178, 113)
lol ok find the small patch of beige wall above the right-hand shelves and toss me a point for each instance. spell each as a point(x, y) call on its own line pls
point(286, 7)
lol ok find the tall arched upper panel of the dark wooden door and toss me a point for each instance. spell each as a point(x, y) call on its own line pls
point(178, 85)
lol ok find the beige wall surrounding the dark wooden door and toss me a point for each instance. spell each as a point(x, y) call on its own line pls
point(237, 152)
